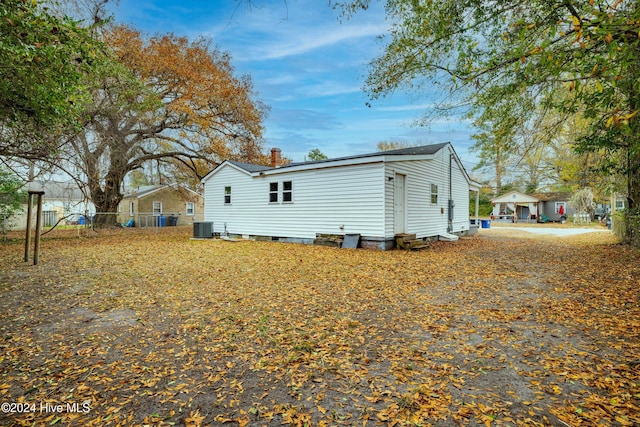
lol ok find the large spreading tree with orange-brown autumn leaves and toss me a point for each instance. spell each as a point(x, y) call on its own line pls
point(176, 101)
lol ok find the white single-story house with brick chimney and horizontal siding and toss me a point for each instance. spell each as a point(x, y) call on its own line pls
point(419, 190)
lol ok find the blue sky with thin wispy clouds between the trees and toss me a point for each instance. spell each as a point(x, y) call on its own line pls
point(308, 67)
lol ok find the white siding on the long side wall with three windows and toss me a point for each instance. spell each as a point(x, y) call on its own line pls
point(323, 201)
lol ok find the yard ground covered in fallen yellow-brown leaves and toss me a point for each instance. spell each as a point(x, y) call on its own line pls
point(142, 328)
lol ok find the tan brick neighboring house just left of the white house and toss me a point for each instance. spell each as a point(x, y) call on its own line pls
point(161, 205)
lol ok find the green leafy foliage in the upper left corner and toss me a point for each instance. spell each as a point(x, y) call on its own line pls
point(44, 61)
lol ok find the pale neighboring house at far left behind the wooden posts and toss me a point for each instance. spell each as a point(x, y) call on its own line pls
point(61, 201)
